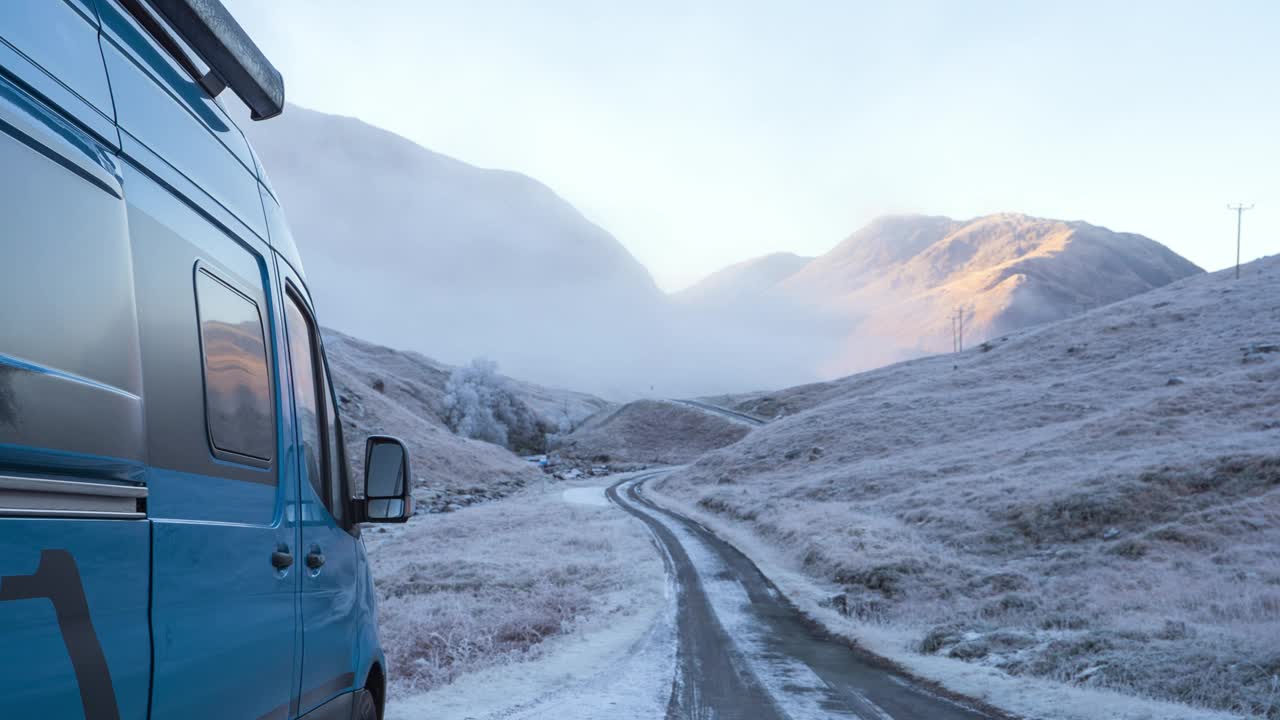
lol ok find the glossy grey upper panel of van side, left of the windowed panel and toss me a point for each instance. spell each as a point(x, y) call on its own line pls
point(70, 373)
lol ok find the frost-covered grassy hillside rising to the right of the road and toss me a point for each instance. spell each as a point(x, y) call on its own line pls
point(1095, 502)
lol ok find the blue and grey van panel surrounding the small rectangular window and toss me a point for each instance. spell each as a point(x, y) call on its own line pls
point(225, 619)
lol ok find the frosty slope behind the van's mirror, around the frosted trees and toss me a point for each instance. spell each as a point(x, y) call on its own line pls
point(403, 394)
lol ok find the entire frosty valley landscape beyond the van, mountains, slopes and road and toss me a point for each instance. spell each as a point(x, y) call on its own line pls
point(925, 511)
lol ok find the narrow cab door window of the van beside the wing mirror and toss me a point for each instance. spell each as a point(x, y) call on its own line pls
point(318, 422)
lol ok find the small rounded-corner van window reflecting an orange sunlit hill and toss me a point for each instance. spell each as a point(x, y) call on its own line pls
point(237, 386)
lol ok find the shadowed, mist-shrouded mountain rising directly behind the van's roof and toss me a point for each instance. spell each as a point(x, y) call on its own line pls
point(415, 249)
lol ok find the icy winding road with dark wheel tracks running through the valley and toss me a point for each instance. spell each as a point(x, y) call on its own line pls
point(746, 653)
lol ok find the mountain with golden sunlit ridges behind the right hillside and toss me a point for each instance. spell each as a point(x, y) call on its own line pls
point(890, 291)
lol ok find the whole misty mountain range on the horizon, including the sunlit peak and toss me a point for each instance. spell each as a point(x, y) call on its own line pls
point(420, 252)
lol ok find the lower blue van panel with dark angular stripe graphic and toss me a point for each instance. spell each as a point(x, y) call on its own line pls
point(58, 660)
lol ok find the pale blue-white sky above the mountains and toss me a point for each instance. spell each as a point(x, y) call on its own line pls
point(702, 134)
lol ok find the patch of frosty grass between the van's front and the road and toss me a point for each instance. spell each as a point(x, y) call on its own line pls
point(488, 585)
